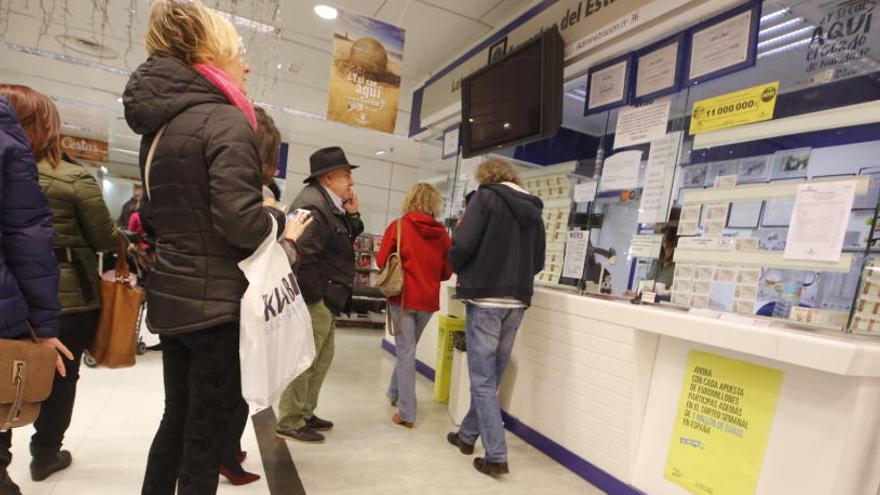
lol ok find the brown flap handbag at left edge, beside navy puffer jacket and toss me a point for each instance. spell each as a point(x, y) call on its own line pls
point(27, 369)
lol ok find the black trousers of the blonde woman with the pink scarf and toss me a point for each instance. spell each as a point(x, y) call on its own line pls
point(202, 393)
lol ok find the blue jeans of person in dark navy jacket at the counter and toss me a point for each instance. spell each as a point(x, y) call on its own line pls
point(490, 334)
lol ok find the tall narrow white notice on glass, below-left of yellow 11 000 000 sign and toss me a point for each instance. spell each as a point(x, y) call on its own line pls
point(658, 178)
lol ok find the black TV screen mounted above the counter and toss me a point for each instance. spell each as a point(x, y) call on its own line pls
point(516, 99)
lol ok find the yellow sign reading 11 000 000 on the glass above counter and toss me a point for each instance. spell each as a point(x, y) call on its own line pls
point(741, 107)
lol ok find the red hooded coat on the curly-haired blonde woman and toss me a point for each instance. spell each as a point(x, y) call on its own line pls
point(424, 251)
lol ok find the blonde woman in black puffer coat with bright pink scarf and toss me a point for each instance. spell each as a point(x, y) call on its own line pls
point(206, 209)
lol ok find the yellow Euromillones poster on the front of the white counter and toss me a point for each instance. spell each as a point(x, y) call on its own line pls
point(724, 418)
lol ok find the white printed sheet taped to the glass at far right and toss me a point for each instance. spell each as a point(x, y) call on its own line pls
point(819, 221)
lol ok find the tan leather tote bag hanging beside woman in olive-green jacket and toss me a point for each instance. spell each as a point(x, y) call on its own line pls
point(116, 336)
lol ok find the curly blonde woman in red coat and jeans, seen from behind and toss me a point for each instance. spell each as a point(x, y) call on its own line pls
point(423, 249)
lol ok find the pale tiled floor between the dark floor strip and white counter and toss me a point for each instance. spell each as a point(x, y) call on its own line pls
point(367, 454)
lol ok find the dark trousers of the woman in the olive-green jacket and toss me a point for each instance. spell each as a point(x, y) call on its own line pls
point(76, 332)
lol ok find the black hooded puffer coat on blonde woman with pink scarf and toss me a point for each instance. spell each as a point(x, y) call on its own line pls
point(206, 204)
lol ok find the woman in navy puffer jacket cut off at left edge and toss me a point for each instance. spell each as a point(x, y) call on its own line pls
point(28, 270)
